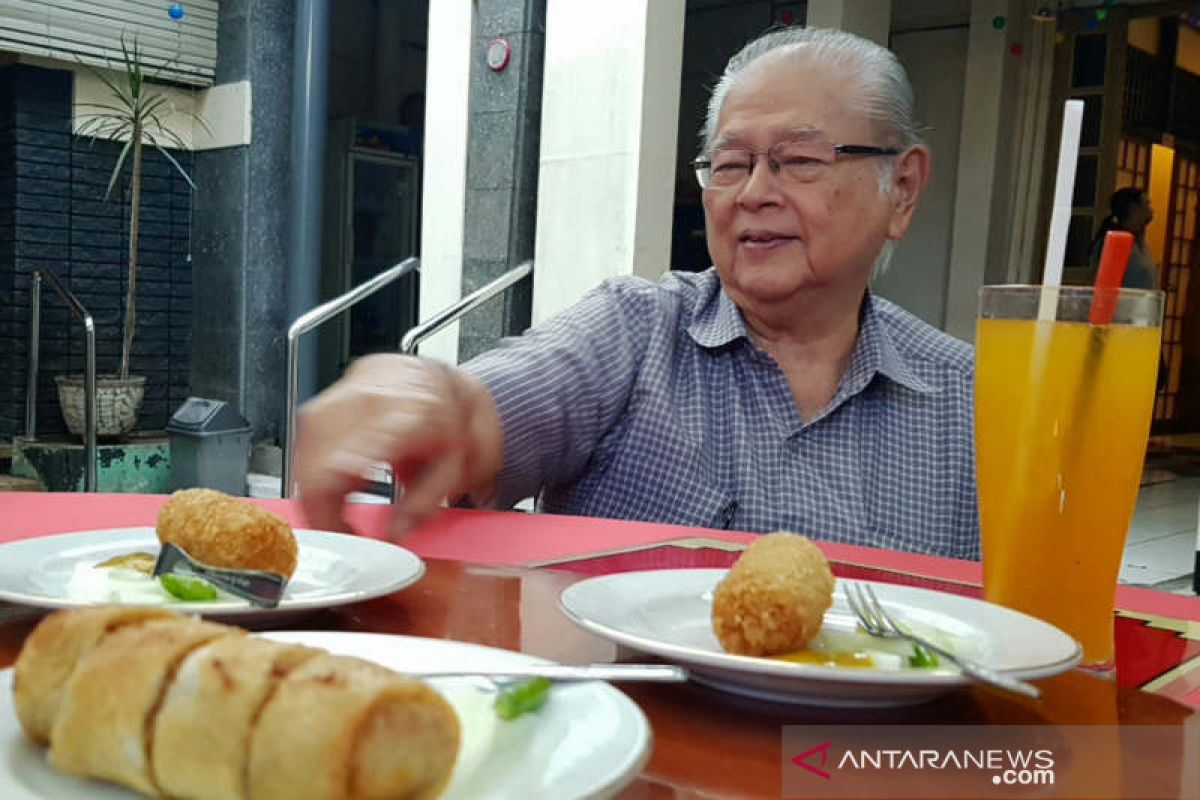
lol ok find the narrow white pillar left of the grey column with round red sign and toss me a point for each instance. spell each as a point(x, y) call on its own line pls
point(445, 170)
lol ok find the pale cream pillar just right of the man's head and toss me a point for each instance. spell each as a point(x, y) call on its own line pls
point(979, 146)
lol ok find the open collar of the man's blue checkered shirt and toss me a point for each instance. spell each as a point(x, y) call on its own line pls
point(721, 322)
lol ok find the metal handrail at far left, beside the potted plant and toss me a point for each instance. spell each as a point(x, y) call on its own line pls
point(89, 371)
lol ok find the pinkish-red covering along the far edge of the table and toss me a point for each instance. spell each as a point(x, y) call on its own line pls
point(1159, 634)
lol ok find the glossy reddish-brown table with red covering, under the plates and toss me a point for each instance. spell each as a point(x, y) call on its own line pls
point(482, 564)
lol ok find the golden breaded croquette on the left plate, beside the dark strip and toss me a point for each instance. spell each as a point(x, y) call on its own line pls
point(227, 532)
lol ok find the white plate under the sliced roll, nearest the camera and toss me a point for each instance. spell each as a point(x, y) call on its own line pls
point(589, 742)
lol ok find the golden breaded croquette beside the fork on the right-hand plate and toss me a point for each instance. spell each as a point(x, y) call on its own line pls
point(775, 598)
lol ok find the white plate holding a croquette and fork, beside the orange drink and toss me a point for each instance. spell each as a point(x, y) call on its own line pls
point(669, 613)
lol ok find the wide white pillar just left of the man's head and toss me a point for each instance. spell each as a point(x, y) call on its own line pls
point(609, 127)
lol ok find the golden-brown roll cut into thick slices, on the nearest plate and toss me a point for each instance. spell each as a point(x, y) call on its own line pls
point(176, 707)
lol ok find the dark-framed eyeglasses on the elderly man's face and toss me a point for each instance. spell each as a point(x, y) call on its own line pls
point(796, 161)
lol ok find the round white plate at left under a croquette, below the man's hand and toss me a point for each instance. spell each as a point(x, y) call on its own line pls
point(332, 570)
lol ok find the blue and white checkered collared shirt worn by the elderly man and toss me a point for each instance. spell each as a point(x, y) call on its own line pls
point(651, 402)
